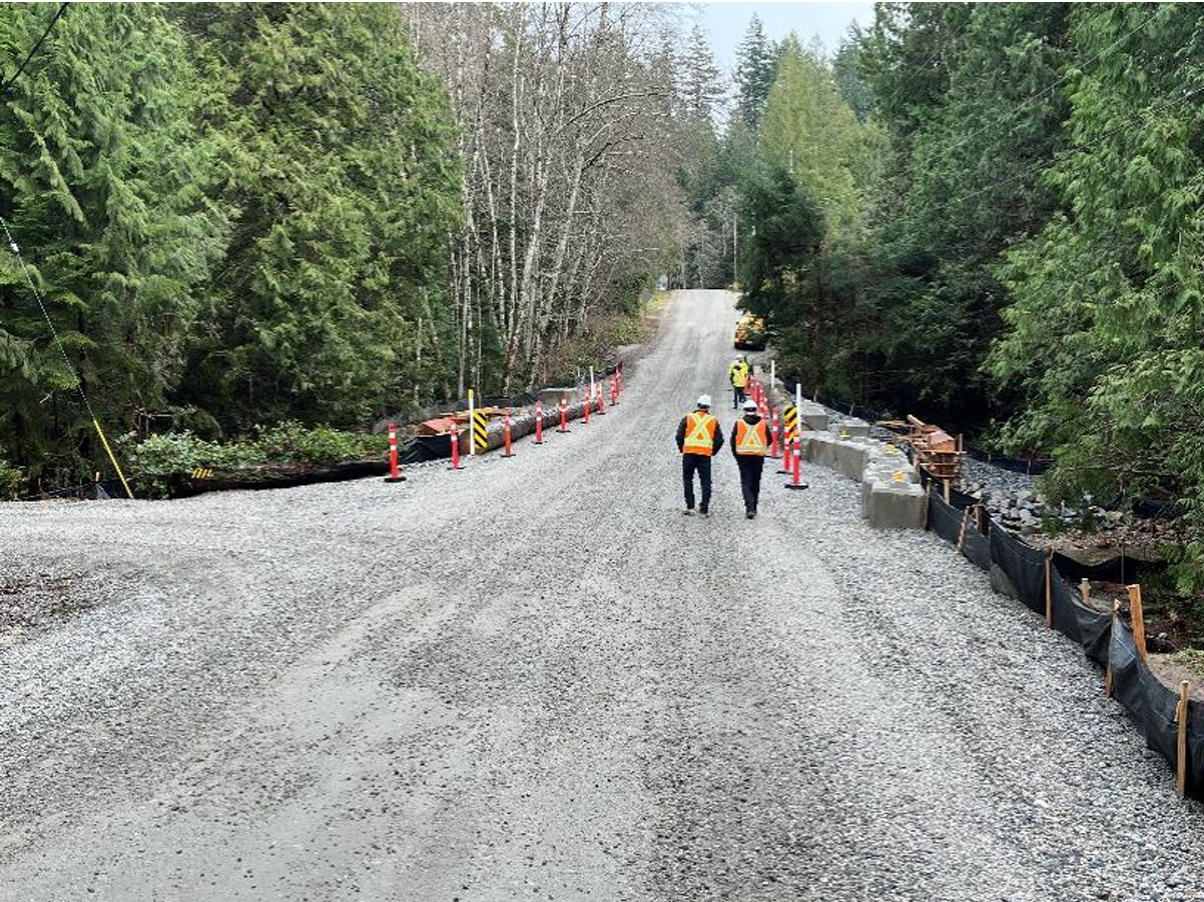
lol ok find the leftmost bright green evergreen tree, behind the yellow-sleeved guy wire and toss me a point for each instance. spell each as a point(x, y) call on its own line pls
point(103, 180)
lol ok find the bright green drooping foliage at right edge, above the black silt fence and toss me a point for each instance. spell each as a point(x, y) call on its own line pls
point(1103, 341)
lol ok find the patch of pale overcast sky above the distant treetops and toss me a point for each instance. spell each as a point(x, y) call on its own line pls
point(727, 23)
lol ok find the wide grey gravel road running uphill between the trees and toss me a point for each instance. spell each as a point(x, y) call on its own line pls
point(535, 680)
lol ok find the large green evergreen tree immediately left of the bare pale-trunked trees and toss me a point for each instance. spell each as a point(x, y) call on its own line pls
point(340, 163)
